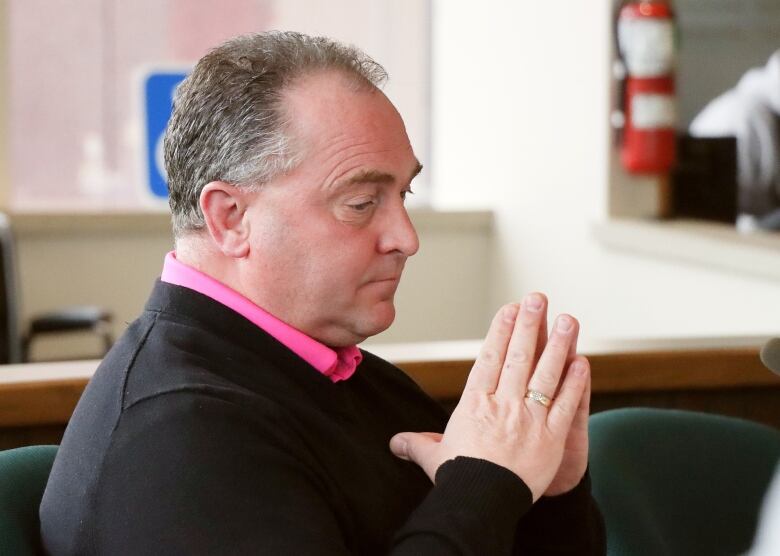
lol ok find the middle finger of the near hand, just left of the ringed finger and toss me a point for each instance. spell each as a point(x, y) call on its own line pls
point(519, 360)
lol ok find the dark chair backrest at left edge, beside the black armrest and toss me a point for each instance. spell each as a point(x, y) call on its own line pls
point(10, 338)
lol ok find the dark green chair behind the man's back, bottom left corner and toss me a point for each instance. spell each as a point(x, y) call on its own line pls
point(23, 476)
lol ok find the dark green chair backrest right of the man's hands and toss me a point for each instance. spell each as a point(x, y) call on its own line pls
point(678, 482)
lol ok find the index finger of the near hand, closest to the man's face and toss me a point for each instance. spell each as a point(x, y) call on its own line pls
point(487, 368)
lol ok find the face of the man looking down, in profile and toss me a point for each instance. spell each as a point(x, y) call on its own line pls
point(329, 240)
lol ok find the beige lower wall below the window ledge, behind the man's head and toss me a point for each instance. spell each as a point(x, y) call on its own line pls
point(112, 261)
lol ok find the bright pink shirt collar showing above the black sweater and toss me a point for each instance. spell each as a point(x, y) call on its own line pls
point(338, 364)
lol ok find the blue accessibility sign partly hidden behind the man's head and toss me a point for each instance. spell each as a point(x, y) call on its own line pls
point(158, 91)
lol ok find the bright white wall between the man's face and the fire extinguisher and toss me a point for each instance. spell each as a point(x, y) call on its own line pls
point(520, 97)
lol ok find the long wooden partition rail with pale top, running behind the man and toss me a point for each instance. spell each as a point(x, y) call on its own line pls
point(722, 375)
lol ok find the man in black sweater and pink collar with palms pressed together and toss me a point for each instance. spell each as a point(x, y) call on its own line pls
point(236, 415)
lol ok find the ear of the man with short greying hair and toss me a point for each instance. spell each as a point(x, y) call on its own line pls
point(223, 206)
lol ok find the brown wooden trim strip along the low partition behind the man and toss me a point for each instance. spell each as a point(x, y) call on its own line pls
point(45, 394)
